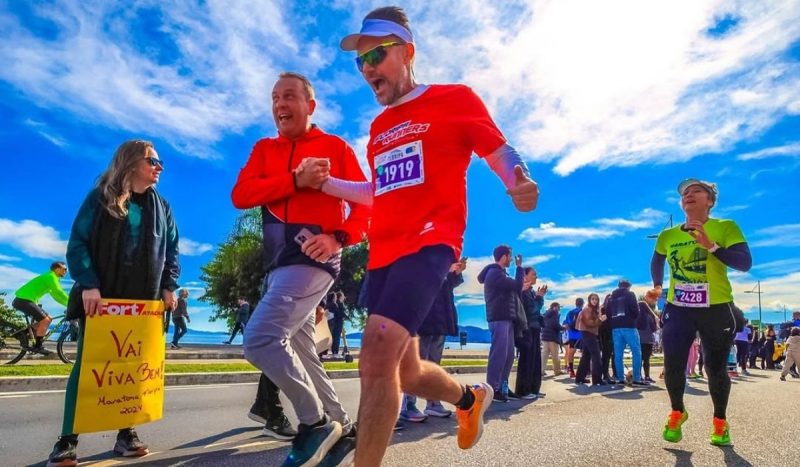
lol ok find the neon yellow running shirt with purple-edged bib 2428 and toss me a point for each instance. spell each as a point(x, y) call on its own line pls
point(697, 278)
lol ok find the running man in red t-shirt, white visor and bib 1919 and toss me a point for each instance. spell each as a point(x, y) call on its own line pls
point(419, 150)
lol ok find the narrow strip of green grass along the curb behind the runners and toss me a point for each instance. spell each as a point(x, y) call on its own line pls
point(173, 368)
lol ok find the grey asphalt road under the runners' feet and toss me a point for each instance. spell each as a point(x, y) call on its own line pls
point(207, 425)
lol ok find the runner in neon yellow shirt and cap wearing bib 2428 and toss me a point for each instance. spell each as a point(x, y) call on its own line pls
point(700, 299)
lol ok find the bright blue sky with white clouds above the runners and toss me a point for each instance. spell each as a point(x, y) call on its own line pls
point(611, 103)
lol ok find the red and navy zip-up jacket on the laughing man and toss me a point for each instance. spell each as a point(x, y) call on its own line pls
point(266, 181)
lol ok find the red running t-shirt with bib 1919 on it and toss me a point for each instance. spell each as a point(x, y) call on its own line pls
point(418, 154)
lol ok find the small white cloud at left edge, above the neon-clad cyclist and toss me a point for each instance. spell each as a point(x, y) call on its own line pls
point(33, 239)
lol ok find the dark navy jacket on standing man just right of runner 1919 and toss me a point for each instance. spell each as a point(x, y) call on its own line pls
point(500, 292)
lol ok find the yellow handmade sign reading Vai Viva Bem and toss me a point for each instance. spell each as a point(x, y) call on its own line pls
point(121, 381)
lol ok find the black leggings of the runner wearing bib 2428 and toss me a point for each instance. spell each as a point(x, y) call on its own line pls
point(717, 327)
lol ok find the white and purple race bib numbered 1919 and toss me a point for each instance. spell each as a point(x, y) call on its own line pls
point(399, 167)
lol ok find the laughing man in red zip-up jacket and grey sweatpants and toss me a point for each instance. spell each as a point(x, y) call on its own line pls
point(304, 231)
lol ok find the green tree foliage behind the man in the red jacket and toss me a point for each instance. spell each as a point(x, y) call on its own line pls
point(237, 270)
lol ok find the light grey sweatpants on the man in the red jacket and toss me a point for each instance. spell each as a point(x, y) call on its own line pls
point(279, 341)
